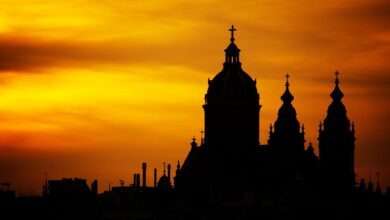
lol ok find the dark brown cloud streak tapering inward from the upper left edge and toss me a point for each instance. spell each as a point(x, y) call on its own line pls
point(30, 54)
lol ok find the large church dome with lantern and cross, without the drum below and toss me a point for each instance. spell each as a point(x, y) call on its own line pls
point(232, 81)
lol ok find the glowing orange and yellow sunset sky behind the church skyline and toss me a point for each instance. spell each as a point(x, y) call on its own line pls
point(92, 88)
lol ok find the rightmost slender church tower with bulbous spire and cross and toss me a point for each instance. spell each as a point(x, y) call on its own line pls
point(337, 145)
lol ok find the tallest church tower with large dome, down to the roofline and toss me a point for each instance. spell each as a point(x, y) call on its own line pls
point(232, 108)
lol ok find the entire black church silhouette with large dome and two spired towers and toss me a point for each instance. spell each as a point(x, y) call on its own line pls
point(231, 159)
